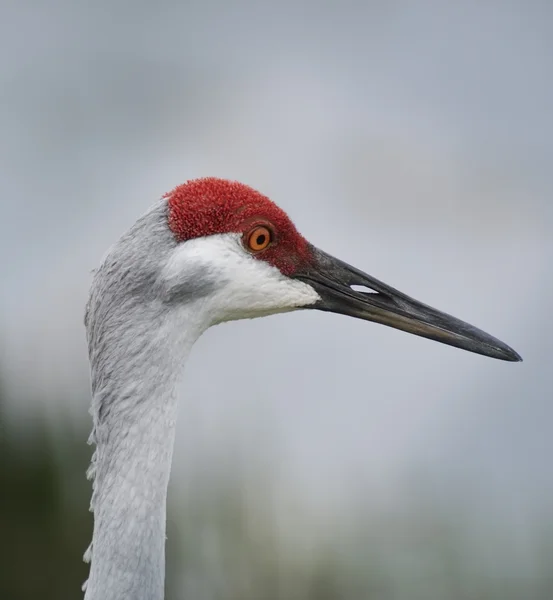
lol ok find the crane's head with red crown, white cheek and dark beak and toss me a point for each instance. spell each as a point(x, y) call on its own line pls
point(240, 256)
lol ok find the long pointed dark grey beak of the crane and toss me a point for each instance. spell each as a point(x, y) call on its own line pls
point(333, 280)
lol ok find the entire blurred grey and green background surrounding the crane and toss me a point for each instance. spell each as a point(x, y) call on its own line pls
point(414, 140)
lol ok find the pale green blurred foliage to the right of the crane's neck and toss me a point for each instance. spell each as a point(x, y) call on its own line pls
point(233, 548)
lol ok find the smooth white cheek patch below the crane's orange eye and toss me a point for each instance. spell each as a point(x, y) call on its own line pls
point(234, 284)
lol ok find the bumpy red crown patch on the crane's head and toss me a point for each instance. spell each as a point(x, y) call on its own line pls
point(209, 206)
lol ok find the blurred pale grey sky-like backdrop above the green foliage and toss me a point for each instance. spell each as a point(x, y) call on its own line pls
point(414, 140)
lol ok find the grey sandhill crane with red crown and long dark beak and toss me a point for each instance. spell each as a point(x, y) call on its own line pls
point(209, 251)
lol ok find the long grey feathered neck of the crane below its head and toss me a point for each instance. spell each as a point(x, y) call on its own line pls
point(137, 354)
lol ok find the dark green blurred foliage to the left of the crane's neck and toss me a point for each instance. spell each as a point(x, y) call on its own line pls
point(45, 527)
